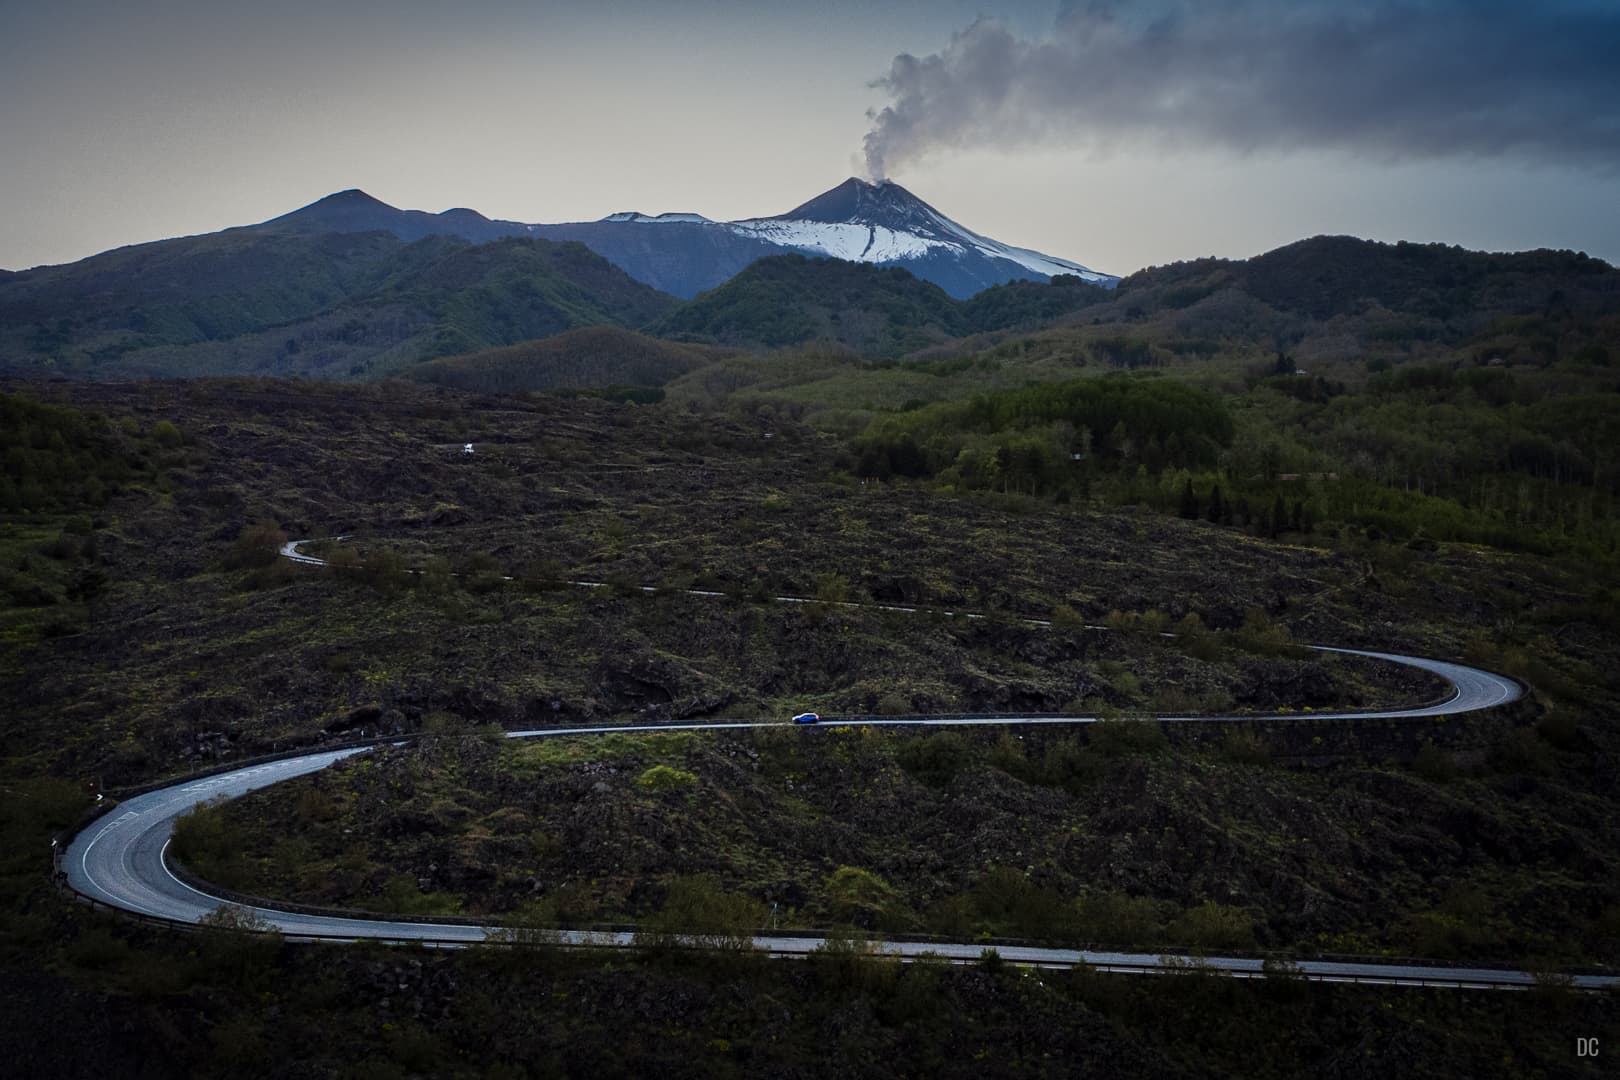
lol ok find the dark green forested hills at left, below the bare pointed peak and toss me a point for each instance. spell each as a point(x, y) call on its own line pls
point(351, 305)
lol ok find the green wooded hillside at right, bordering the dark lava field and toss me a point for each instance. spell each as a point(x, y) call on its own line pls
point(1404, 391)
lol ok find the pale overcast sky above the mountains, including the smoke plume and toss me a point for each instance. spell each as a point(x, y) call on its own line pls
point(1111, 132)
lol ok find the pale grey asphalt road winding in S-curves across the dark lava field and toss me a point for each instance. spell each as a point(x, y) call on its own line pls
point(121, 859)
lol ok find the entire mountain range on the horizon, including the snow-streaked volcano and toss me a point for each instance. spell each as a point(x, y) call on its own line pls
point(335, 291)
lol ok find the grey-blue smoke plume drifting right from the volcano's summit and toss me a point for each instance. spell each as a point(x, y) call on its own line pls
point(1389, 80)
